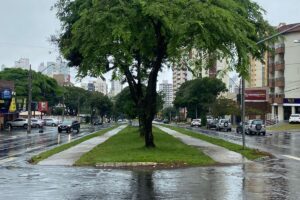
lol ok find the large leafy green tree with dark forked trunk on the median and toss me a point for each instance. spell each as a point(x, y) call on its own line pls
point(135, 38)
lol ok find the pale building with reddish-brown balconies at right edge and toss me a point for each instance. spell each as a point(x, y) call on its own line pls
point(284, 73)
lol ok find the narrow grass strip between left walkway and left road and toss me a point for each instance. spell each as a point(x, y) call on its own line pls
point(46, 154)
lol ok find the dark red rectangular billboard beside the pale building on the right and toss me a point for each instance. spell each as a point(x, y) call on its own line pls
point(256, 95)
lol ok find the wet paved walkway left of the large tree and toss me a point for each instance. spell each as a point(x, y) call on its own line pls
point(71, 155)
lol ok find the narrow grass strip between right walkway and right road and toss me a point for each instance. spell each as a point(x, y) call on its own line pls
point(249, 153)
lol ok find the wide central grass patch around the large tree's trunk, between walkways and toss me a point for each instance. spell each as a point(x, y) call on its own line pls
point(128, 146)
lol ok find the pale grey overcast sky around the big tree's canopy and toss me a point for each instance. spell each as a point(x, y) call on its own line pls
point(26, 25)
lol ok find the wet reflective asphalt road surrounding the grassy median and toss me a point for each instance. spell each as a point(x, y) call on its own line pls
point(277, 178)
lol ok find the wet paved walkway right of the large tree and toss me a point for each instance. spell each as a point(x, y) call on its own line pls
point(217, 153)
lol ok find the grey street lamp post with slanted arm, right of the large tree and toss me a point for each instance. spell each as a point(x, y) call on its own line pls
point(243, 78)
